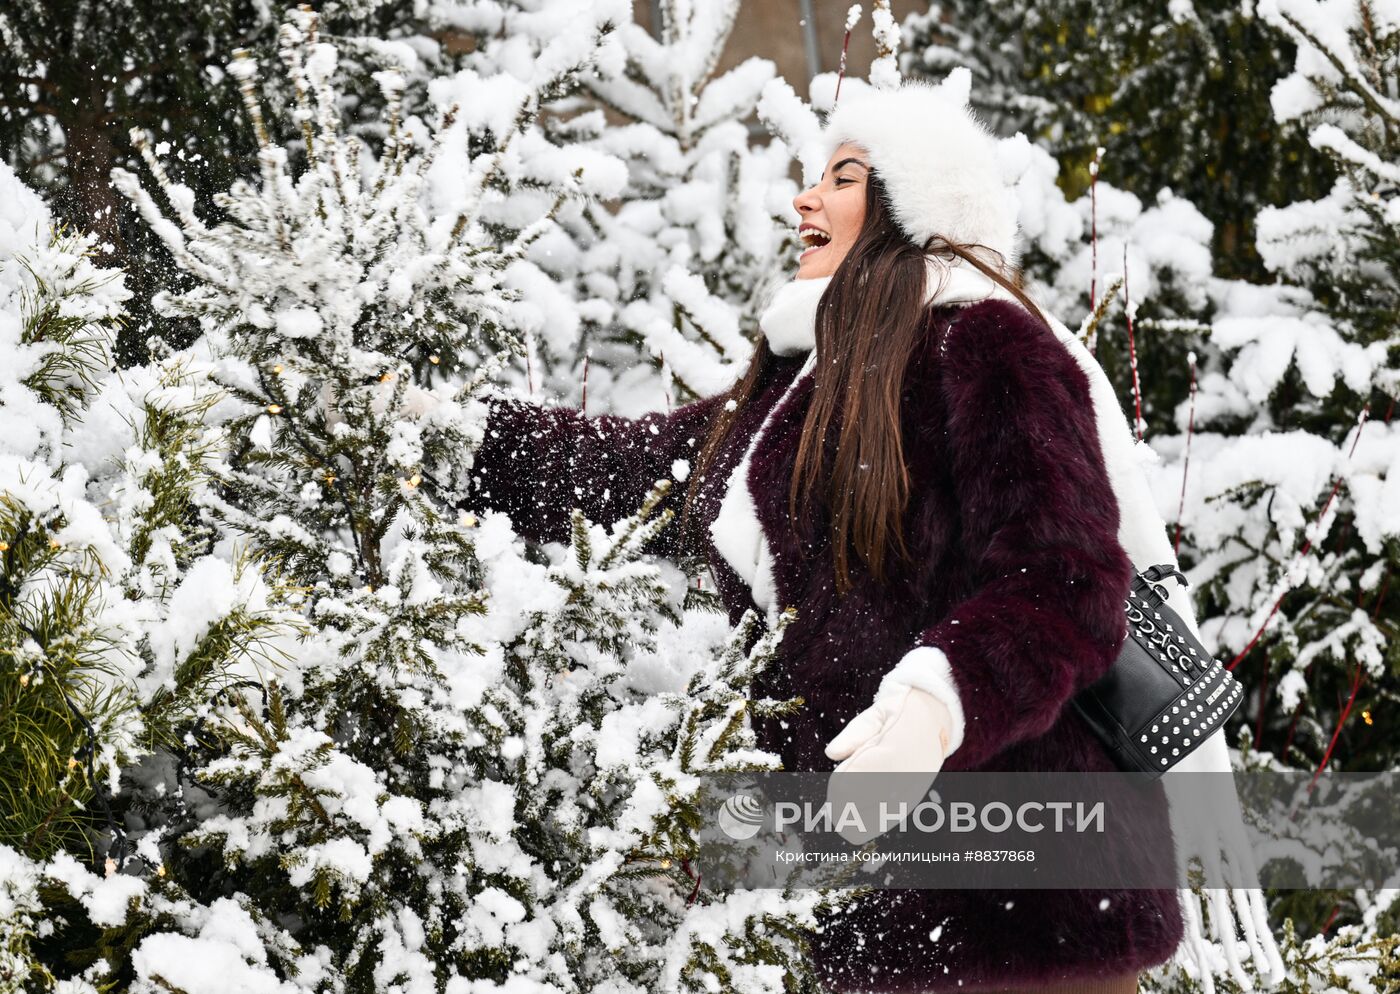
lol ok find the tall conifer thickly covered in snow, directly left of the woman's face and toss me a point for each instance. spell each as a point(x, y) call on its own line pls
point(703, 225)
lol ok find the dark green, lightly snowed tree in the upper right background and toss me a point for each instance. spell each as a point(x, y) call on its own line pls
point(1177, 96)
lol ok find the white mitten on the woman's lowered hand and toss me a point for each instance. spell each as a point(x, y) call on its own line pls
point(904, 734)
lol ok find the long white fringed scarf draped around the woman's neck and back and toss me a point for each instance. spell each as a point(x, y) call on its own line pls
point(790, 327)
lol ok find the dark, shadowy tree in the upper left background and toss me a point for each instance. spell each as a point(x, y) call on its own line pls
point(76, 75)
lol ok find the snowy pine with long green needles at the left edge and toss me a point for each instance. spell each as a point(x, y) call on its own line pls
point(59, 701)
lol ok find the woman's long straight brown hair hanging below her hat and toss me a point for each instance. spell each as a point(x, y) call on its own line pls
point(869, 325)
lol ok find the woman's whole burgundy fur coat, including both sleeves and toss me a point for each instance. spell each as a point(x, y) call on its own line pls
point(1018, 579)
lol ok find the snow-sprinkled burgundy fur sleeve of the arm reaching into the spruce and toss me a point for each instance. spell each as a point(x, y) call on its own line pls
point(537, 464)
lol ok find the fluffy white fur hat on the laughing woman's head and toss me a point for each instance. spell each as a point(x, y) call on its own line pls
point(940, 164)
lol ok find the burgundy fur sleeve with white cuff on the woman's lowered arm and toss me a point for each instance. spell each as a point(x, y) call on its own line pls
point(1041, 521)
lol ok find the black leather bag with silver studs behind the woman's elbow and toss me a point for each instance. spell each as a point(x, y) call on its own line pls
point(1165, 694)
